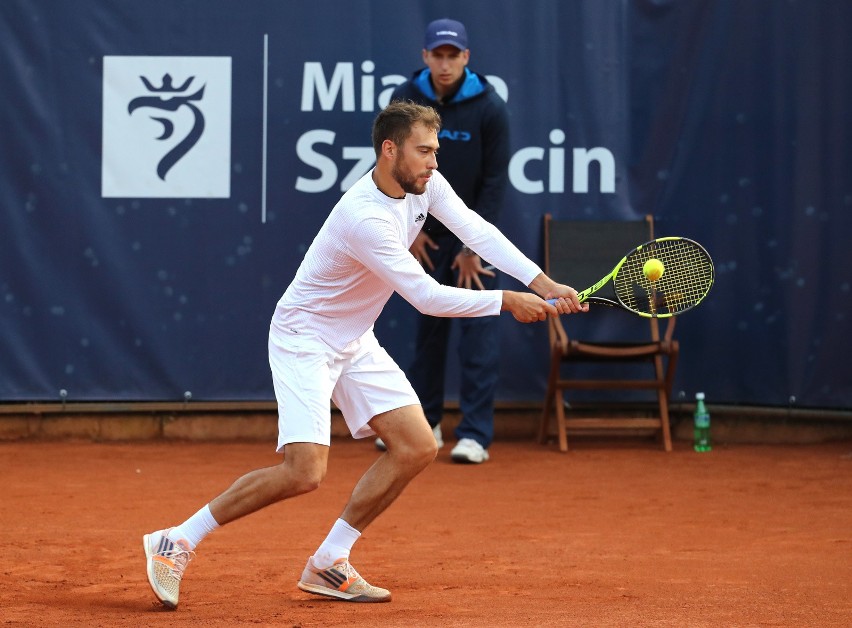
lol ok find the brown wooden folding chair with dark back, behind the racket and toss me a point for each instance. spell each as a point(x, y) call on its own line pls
point(580, 253)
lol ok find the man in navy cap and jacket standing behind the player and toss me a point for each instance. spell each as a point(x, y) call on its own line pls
point(474, 159)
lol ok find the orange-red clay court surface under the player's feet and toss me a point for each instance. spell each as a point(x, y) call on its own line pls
point(610, 534)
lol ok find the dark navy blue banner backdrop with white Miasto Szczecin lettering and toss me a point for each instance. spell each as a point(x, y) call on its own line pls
point(165, 165)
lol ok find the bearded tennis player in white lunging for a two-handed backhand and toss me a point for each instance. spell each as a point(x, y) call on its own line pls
point(322, 346)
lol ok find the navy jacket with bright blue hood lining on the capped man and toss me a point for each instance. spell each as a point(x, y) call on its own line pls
point(474, 141)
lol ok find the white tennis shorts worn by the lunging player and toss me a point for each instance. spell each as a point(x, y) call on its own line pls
point(362, 380)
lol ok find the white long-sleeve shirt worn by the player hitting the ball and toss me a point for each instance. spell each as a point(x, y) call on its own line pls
point(361, 256)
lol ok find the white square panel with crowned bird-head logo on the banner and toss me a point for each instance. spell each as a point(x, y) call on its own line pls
point(166, 127)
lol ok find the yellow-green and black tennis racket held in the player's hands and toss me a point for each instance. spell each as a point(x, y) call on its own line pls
point(686, 279)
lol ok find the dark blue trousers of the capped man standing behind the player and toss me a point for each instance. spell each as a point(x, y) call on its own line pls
point(478, 352)
